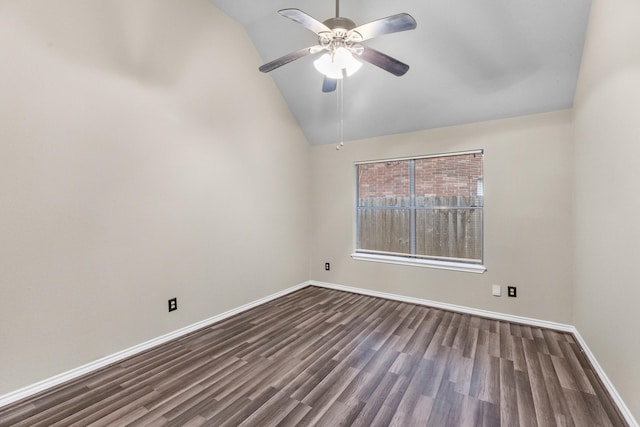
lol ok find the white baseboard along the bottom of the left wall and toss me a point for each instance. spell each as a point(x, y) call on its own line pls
point(116, 357)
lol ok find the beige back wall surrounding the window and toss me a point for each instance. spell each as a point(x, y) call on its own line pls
point(527, 170)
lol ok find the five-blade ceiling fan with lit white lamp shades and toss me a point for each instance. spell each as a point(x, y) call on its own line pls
point(340, 39)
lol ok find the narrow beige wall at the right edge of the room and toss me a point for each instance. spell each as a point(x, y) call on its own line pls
point(607, 194)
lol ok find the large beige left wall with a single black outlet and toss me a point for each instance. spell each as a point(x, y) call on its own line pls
point(142, 157)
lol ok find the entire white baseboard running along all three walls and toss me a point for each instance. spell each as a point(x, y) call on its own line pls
point(100, 363)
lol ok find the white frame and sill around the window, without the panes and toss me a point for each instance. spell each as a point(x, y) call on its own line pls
point(470, 266)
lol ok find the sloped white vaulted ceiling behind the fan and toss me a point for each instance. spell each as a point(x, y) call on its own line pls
point(471, 60)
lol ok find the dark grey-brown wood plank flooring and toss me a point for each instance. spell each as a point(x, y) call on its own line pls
point(330, 358)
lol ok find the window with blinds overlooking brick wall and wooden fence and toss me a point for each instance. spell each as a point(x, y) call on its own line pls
point(421, 211)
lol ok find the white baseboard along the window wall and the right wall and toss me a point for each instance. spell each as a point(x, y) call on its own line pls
point(622, 407)
